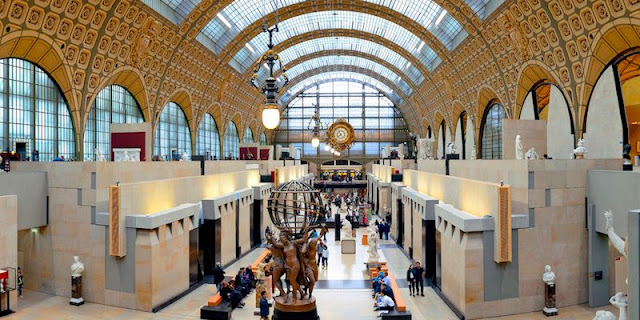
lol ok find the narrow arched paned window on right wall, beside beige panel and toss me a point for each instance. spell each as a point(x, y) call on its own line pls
point(492, 132)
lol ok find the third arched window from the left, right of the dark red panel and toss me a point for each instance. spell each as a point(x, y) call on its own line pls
point(172, 133)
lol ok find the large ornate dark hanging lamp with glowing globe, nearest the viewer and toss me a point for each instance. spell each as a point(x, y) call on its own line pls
point(270, 110)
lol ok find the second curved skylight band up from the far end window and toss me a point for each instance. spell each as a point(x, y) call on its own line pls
point(346, 63)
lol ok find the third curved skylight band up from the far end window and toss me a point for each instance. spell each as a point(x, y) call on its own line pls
point(352, 44)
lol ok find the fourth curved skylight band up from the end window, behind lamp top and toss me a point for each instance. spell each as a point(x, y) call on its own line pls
point(327, 20)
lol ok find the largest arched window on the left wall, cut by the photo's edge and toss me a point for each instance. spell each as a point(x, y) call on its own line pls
point(33, 113)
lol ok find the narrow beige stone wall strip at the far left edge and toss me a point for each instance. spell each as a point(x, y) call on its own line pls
point(9, 240)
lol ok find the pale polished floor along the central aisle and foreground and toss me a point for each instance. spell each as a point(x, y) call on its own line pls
point(340, 295)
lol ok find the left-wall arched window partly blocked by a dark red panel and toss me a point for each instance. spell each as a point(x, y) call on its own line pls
point(114, 104)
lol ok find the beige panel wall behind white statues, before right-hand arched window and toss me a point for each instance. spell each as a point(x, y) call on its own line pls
point(533, 133)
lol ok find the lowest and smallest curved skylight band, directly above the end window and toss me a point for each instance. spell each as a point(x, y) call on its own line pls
point(293, 91)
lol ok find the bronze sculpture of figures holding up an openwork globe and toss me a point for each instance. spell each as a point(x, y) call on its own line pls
point(295, 209)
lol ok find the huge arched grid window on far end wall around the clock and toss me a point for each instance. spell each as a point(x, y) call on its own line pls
point(374, 117)
